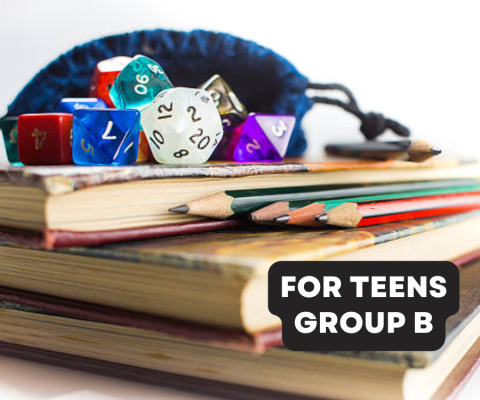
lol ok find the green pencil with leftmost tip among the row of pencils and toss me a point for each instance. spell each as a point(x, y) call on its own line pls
point(234, 202)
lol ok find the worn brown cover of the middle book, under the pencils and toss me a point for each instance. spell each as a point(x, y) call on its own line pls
point(249, 253)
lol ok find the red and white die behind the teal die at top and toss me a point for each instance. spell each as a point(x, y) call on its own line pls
point(103, 77)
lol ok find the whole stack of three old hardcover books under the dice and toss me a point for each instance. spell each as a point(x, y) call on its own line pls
point(96, 274)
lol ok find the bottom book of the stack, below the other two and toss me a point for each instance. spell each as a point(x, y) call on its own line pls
point(31, 320)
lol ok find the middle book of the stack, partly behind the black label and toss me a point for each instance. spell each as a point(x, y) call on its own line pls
point(220, 278)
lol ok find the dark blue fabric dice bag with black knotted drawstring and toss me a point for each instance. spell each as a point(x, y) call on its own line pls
point(264, 81)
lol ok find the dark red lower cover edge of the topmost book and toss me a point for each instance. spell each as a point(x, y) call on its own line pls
point(55, 239)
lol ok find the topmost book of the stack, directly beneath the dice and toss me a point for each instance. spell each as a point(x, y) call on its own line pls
point(66, 199)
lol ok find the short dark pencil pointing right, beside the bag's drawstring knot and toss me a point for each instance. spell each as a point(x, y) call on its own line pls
point(416, 150)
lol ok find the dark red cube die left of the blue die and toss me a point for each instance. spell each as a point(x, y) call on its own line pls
point(45, 139)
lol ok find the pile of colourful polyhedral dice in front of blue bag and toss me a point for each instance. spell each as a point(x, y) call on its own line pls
point(134, 112)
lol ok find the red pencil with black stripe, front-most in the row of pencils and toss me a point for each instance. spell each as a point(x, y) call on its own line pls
point(352, 215)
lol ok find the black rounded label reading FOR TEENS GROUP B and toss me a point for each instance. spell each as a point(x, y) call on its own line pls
point(363, 306)
